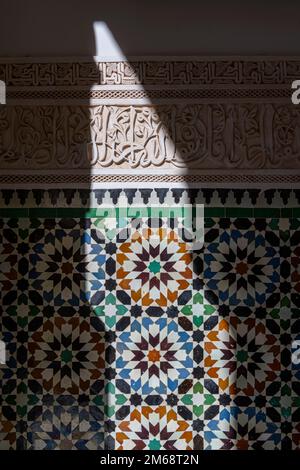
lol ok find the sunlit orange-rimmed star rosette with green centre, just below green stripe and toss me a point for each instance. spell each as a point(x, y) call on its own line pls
point(154, 266)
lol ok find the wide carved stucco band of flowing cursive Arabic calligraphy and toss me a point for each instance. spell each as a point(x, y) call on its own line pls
point(195, 136)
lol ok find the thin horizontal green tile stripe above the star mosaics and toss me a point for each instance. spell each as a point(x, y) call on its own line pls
point(77, 212)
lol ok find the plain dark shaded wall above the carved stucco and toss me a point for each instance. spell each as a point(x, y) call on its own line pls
point(150, 27)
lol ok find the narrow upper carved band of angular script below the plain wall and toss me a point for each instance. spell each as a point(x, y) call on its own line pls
point(179, 71)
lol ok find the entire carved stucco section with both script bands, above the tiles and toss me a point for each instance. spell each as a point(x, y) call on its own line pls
point(215, 119)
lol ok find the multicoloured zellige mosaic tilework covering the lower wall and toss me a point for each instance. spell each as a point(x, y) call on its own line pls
point(121, 340)
